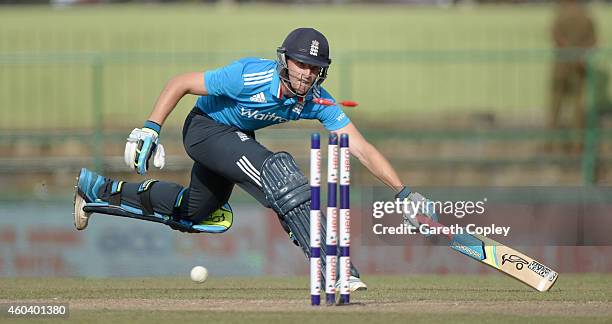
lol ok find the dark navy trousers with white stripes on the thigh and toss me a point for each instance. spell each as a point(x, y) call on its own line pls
point(223, 156)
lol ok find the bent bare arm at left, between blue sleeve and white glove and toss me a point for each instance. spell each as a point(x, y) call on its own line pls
point(175, 89)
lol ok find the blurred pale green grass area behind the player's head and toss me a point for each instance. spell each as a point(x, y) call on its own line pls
point(60, 68)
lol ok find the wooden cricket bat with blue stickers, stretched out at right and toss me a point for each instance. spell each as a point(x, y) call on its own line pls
point(505, 259)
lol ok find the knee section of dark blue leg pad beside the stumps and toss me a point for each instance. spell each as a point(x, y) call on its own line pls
point(284, 184)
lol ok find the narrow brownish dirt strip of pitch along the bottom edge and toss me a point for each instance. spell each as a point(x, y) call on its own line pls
point(543, 308)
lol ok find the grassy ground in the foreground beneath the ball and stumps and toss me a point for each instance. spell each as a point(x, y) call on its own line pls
point(414, 299)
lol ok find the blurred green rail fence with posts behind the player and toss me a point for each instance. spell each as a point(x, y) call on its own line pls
point(96, 134)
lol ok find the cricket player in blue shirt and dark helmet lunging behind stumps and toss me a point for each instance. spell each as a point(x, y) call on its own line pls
point(219, 136)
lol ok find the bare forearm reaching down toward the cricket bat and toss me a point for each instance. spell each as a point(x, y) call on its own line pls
point(371, 158)
